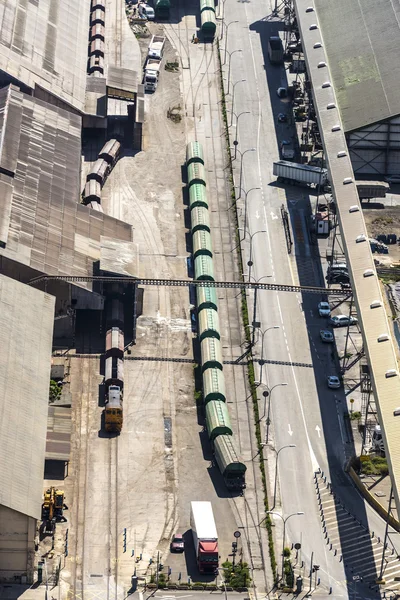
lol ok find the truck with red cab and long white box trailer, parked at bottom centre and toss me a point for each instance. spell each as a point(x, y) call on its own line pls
point(205, 537)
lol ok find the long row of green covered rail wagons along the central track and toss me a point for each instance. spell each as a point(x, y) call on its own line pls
point(218, 423)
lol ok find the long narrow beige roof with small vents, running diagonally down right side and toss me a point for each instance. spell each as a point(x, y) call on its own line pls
point(375, 328)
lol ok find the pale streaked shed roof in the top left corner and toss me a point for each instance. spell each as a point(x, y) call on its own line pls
point(45, 44)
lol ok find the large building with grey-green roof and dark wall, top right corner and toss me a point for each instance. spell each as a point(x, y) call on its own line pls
point(362, 43)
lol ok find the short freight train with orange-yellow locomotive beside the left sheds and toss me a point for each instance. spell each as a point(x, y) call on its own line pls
point(114, 364)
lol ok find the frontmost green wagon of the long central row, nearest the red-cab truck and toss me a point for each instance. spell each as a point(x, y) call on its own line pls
point(232, 468)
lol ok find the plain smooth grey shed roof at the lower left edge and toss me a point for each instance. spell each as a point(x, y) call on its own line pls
point(26, 334)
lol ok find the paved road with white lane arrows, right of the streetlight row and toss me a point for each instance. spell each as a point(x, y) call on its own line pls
point(304, 412)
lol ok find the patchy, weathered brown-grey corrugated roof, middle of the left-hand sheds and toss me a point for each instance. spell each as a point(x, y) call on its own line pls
point(42, 224)
